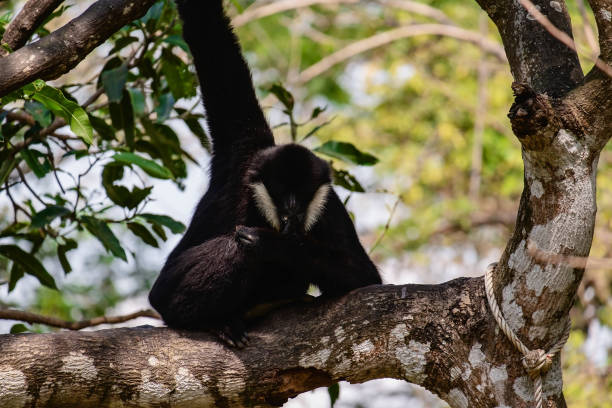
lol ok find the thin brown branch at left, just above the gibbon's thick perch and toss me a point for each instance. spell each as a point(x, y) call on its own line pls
point(29, 317)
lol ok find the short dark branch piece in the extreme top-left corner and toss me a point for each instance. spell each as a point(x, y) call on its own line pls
point(33, 13)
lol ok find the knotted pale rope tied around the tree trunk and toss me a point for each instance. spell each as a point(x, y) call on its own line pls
point(536, 362)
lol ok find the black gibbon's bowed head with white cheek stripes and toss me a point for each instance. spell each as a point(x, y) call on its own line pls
point(290, 187)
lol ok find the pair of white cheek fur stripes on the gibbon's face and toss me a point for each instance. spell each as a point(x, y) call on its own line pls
point(266, 206)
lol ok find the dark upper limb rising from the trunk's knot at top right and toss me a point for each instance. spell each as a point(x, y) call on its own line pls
point(536, 57)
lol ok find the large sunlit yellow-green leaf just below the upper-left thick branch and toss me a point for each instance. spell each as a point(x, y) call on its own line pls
point(56, 102)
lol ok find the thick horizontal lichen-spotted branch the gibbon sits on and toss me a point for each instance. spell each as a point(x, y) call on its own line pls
point(439, 336)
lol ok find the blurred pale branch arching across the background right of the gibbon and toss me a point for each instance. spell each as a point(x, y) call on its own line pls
point(386, 37)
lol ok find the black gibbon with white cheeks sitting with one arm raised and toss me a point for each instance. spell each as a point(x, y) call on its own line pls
point(270, 224)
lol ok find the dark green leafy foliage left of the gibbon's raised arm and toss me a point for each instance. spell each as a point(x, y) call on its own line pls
point(120, 128)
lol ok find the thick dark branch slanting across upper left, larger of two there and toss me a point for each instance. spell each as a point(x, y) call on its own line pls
point(59, 52)
